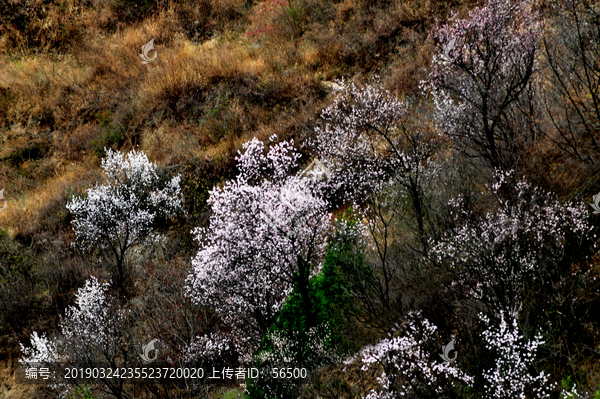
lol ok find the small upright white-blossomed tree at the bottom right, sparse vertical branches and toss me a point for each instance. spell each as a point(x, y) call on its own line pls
point(512, 377)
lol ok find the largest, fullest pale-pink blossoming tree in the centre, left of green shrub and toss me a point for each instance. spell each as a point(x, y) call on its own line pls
point(267, 234)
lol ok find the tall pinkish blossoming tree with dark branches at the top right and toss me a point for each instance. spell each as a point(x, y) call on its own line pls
point(482, 79)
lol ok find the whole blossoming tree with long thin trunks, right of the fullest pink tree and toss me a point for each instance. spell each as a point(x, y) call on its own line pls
point(383, 157)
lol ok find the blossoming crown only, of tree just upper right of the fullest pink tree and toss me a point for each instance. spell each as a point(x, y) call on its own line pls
point(358, 141)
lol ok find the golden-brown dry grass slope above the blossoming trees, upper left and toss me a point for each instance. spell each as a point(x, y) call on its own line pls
point(71, 80)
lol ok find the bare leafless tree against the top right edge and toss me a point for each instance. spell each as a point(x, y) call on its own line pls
point(572, 79)
